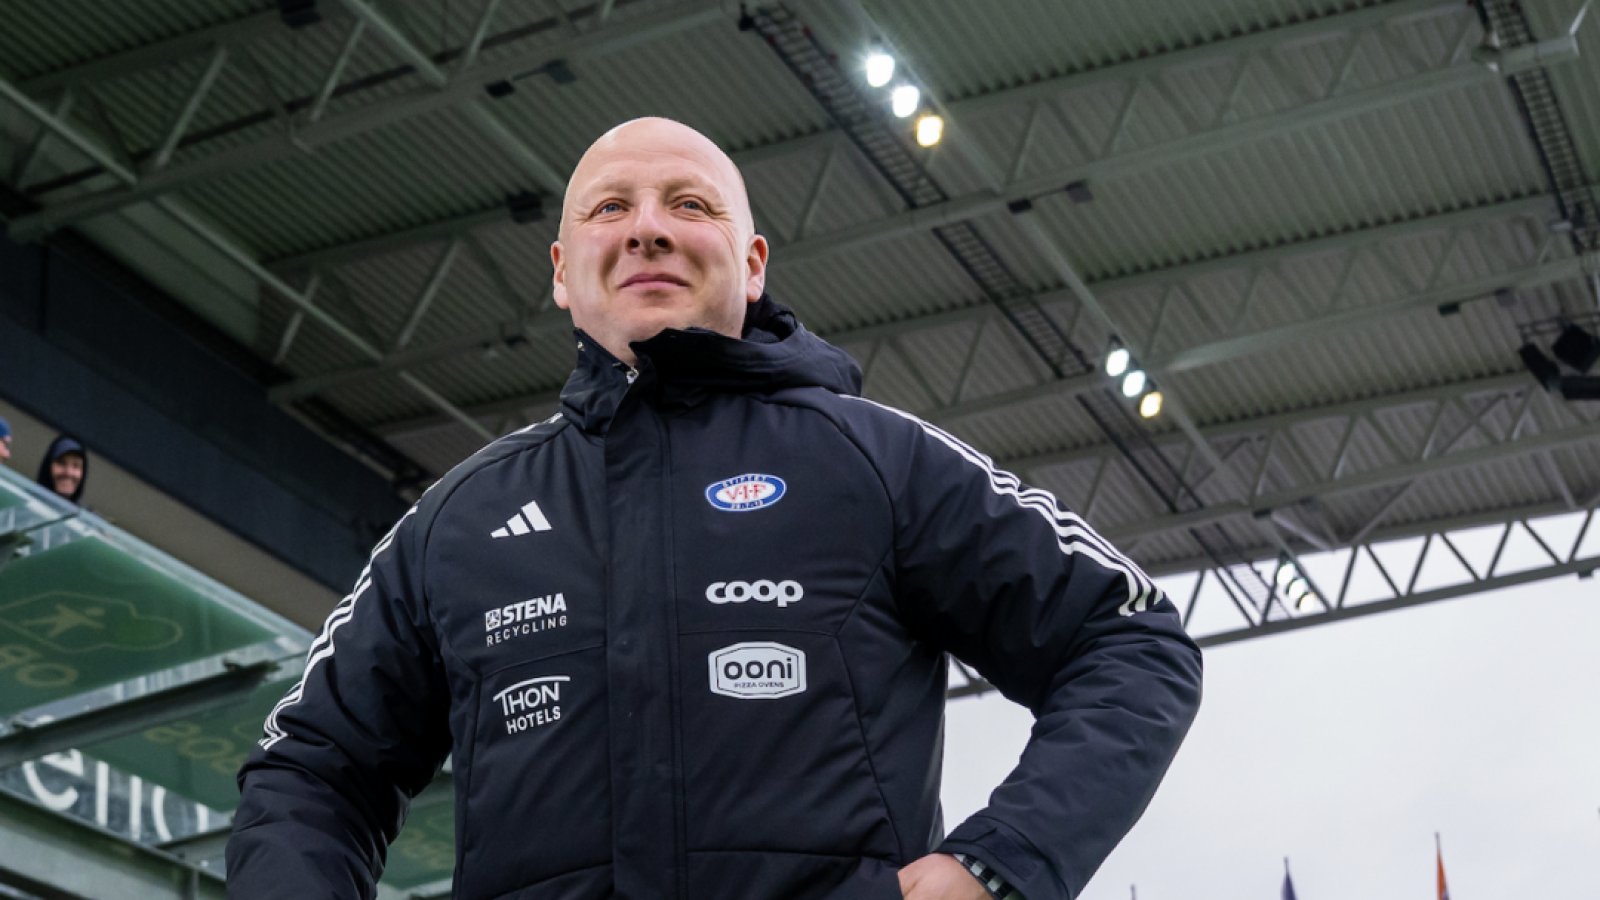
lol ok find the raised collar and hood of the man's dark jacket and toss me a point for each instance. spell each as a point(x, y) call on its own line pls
point(682, 368)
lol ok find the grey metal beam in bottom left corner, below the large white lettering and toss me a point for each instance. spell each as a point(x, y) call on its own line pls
point(54, 856)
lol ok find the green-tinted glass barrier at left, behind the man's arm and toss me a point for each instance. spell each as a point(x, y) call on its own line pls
point(92, 617)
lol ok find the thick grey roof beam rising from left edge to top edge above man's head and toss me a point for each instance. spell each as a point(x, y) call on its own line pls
point(455, 92)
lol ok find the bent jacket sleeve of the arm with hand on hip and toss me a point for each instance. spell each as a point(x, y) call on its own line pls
point(1049, 613)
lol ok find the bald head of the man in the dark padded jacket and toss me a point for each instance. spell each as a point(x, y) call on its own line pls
point(657, 233)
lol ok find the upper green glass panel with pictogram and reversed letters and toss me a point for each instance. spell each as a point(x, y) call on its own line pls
point(89, 614)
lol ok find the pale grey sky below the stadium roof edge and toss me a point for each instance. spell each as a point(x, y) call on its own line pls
point(1346, 747)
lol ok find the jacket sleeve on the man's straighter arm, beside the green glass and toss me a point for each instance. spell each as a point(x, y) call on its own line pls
point(329, 785)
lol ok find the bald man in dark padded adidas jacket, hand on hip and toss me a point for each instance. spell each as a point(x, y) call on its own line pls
point(687, 638)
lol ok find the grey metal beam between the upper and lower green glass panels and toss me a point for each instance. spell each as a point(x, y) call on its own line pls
point(127, 717)
